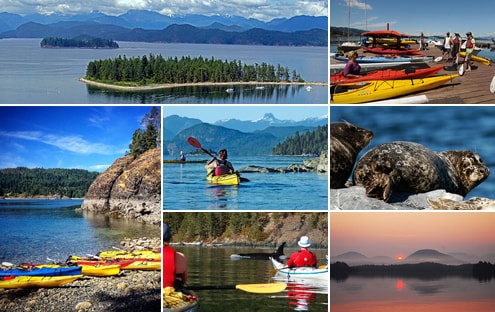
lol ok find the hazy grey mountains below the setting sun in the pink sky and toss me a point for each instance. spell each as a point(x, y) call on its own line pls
point(420, 256)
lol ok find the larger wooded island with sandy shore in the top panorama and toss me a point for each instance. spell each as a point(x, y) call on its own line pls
point(155, 69)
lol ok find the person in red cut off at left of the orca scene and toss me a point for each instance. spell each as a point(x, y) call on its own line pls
point(174, 263)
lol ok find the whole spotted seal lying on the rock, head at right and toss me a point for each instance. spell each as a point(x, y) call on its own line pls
point(413, 168)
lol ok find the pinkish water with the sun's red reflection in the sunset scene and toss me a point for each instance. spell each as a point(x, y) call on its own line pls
point(411, 294)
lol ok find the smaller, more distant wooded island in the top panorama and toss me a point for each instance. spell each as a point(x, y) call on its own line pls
point(79, 42)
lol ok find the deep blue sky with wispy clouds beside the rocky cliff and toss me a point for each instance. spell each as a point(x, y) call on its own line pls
point(79, 137)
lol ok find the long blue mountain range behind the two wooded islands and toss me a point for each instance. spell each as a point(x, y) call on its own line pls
point(147, 26)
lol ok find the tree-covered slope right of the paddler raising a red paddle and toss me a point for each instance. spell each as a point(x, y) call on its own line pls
point(309, 143)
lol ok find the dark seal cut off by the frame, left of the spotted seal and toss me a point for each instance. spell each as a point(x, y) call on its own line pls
point(346, 141)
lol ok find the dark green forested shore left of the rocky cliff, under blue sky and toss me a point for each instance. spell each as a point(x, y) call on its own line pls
point(23, 182)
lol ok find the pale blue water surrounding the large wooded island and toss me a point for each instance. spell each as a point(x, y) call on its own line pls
point(30, 74)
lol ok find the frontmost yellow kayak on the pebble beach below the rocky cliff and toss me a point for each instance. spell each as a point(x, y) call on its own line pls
point(37, 281)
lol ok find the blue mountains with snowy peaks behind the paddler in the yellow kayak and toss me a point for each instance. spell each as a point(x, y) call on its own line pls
point(256, 137)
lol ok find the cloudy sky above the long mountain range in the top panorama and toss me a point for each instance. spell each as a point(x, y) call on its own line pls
point(260, 9)
